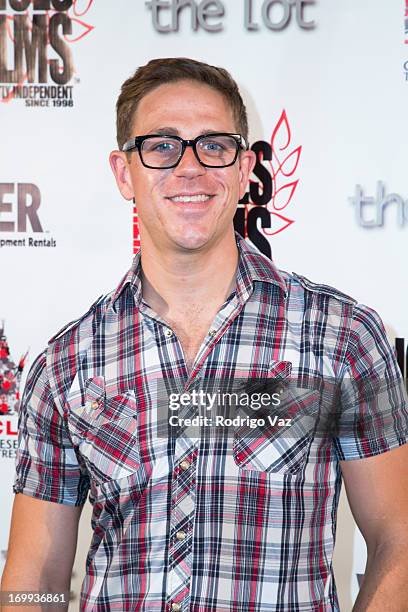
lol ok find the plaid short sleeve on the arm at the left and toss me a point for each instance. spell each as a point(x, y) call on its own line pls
point(47, 466)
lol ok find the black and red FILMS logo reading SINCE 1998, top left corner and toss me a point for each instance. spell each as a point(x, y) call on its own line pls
point(36, 60)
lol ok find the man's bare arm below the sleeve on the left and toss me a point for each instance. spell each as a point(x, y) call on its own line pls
point(42, 545)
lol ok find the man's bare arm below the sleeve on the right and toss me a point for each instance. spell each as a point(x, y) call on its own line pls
point(377, 490)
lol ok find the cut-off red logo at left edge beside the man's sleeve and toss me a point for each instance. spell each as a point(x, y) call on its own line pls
point(10, 376)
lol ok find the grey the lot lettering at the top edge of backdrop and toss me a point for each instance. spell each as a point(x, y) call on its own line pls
point(275, 15)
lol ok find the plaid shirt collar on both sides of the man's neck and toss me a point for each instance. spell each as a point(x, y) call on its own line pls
point(253, 266)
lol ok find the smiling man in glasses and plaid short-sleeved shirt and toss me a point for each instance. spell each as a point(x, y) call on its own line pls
point(238, 523)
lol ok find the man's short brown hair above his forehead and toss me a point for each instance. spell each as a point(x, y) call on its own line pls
point(172, 69)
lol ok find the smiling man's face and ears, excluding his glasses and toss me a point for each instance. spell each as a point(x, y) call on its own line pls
point(187, 109)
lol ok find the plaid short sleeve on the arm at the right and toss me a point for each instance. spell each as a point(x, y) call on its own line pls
point(373, 413)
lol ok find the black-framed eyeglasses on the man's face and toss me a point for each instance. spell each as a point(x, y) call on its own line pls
point(162, 151)
